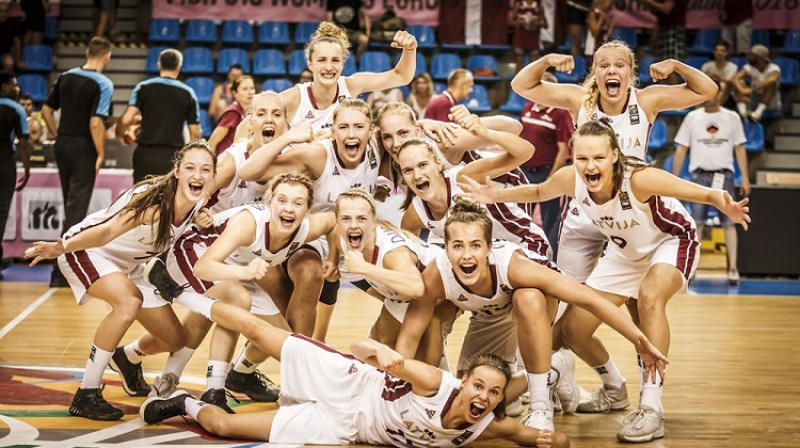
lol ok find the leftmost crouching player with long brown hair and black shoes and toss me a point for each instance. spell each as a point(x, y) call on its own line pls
point(103, 256)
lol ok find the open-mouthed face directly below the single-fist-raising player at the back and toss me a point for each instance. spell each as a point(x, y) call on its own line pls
point(351, 132)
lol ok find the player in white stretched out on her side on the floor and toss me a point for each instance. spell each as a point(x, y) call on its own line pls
point(350, 401)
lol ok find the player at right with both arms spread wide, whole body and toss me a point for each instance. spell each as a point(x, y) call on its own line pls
point(653, 249)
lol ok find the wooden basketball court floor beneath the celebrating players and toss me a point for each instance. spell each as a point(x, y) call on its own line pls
point(732, 381)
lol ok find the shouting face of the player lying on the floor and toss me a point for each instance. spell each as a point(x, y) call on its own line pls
point(482, 390)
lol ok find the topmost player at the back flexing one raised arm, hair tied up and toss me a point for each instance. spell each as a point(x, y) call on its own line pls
point(326, 52)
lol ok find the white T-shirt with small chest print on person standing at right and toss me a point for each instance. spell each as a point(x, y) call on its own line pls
point(711, 138)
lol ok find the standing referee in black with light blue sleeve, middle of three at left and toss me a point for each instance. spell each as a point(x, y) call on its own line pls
point(84, 96)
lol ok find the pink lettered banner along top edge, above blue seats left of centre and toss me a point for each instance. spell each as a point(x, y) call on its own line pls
point(424, 12)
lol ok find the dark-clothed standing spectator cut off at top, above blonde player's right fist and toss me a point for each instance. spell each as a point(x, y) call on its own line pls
point(671, 18)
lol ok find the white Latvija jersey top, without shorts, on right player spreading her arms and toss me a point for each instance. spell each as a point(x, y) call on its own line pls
point(636, 229)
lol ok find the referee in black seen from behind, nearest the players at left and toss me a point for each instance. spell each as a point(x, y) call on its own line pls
point(165, 104)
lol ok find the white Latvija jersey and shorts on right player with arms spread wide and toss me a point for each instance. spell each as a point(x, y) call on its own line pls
point(640, 235)
